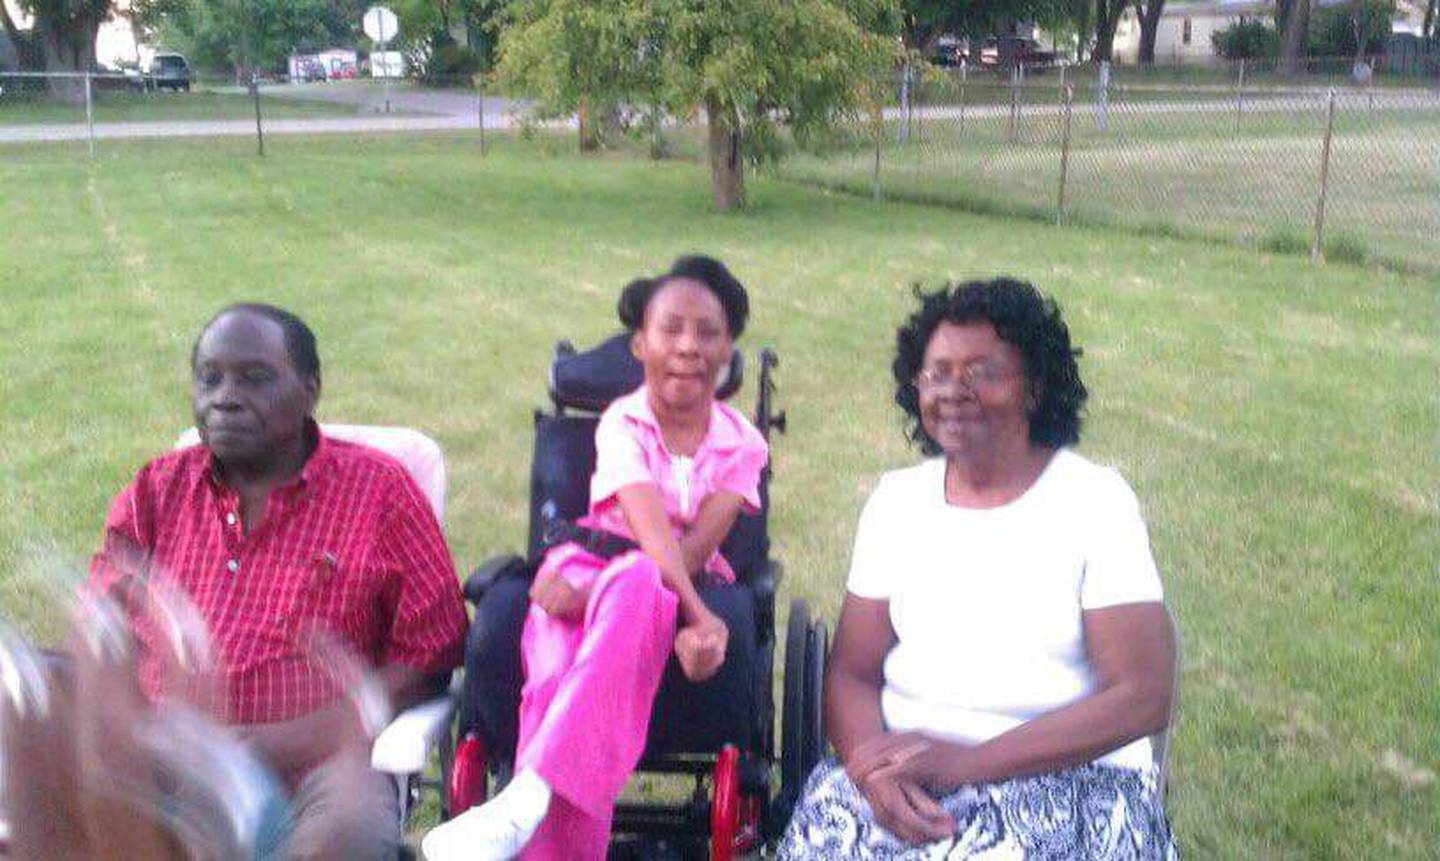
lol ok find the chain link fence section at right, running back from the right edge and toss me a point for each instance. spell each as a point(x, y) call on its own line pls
point(1343, 173)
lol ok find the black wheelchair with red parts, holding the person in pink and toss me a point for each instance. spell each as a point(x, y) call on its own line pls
point(719, 732)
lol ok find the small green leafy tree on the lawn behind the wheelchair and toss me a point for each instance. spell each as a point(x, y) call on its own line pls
point(751, 66)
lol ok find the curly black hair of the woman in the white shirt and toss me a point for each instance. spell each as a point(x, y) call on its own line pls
point(1023, 317)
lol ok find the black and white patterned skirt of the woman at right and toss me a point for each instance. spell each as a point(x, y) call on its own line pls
point(1091, 813)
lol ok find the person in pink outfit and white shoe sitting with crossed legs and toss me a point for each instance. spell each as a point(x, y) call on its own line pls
point(675, 469)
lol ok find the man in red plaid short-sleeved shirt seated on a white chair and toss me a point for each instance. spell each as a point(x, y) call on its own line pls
point(274, 531)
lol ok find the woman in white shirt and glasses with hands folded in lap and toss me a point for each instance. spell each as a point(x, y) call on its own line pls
point(1003, 652)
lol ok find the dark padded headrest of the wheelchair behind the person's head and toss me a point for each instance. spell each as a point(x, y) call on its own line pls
point(591, 381)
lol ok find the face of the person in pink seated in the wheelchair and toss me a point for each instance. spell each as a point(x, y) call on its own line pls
point(683, 345)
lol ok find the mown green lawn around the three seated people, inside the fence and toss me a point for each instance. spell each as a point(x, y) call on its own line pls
point(1277, 420)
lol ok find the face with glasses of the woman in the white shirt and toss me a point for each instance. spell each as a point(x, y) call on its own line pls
point(973, 391)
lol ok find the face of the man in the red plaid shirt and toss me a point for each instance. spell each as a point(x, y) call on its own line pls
point(250, 401)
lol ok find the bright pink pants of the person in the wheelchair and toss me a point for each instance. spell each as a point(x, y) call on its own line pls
point(590, 689)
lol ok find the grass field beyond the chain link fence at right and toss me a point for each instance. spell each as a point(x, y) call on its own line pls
point(1199, 172)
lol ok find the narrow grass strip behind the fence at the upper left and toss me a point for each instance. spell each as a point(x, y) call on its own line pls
point(162, 107)
